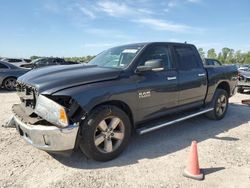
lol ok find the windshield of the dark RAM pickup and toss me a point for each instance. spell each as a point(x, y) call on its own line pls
point(118, 57)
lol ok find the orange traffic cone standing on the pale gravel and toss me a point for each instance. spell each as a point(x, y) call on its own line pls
point(193, 169)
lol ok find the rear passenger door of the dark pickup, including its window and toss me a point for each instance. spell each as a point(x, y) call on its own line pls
point(192, 75)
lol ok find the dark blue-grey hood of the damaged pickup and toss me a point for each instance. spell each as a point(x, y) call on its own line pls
point(54, 78)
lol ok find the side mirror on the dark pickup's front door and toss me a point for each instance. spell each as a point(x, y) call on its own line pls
point(151, 65)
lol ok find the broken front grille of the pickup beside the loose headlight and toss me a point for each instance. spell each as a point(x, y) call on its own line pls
point(27, 94)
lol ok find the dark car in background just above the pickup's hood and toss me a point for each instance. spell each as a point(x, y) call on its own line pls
point(47, 61)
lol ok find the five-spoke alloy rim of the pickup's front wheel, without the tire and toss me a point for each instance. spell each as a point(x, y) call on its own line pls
point(109, 134)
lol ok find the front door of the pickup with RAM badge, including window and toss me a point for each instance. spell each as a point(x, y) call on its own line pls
point(157, 90)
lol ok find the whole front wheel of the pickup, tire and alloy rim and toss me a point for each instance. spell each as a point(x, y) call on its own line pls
point(105, 133)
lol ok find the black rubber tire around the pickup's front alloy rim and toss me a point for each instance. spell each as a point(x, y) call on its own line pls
point(90, 129)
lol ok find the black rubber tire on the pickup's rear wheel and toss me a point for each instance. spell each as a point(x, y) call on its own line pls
point(215, 114)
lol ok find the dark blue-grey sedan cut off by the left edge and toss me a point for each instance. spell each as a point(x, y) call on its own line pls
point(9, 74)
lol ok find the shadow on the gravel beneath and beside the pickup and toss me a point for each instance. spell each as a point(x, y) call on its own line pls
point(167, 140)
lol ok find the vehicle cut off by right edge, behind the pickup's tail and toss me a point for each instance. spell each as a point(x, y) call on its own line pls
point(243, 80)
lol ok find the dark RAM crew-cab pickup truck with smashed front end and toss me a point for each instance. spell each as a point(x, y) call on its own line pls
point(141, 87)
